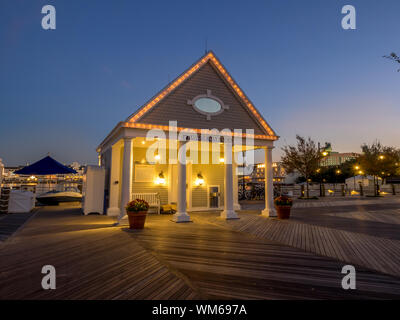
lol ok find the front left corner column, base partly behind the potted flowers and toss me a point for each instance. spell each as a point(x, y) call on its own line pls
point(126, 182)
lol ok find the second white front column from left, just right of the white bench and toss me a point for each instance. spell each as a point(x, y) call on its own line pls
point(181, 214)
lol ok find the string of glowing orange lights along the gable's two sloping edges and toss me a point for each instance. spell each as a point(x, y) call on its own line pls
point(209, 57)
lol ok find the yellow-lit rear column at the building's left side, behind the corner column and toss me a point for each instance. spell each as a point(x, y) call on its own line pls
point(115, 183)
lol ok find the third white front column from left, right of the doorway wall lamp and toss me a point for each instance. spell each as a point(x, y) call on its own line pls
point(228, 212)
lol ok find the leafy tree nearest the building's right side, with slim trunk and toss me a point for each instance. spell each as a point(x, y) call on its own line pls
point(304, 158)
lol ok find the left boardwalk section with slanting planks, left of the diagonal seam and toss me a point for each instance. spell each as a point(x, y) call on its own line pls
point(92, 259)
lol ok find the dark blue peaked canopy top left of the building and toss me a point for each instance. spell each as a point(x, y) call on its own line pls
point(46, 166)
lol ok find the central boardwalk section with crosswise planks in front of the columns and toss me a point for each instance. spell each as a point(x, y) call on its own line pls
point(230, 265)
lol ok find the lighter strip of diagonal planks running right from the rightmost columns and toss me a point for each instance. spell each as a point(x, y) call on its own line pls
point(377, 253)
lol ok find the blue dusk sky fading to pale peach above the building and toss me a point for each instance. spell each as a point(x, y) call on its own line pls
point(63, 90)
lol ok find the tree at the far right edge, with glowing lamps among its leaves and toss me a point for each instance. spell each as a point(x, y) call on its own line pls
point(379, 161)
